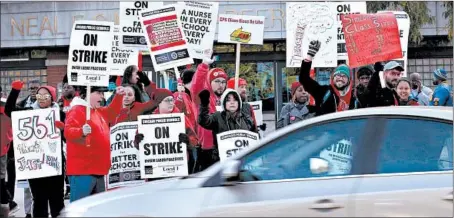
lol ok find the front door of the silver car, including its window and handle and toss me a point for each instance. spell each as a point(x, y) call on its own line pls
point(276, 179)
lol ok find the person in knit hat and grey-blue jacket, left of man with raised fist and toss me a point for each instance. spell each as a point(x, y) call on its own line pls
point(298, 108)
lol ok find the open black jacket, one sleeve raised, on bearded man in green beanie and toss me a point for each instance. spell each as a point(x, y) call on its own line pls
point(325, 98)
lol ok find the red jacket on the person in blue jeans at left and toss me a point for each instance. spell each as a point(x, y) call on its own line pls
point(93, 160)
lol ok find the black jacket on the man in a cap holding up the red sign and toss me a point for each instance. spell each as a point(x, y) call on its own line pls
point(377, 96)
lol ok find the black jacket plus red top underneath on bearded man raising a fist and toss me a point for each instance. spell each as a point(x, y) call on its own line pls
point(328, 98)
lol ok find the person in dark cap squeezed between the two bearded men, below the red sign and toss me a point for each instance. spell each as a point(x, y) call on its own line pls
point(364, 73)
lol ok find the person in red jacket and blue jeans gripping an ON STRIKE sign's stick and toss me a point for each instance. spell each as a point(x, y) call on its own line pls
point(88, 163)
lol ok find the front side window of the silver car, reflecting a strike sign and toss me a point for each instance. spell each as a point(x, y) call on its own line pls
point(320, 150)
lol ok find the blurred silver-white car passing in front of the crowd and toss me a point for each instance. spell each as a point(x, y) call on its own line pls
point(387, 162)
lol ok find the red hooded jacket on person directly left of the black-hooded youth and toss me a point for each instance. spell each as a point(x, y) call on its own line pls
point(199, 83)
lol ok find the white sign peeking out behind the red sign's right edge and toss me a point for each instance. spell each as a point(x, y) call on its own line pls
point(403, 23)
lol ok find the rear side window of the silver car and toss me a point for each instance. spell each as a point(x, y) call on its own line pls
point(415, 145)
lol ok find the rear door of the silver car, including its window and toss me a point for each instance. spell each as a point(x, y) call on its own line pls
point(413, 174)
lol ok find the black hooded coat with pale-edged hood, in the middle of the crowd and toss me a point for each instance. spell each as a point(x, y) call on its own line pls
point(223, 121)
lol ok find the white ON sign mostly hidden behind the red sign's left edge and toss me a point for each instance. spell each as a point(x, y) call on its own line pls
point(343, 8)
